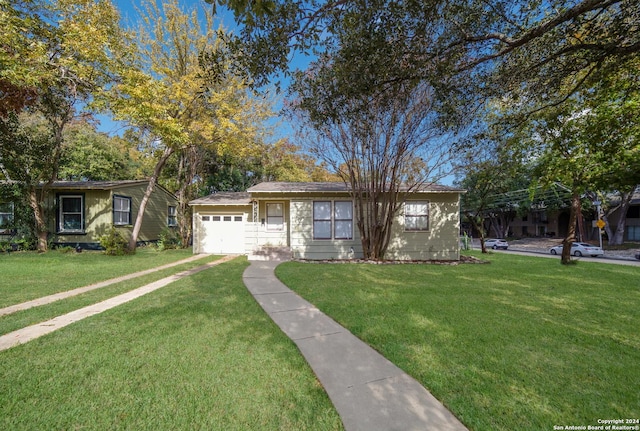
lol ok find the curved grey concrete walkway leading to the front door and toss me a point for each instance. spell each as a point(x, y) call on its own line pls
point(369, 392)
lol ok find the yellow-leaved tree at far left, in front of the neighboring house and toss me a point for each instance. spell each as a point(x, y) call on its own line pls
point(57, 56)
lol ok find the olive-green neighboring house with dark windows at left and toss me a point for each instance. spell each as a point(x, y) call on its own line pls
point(80, 212)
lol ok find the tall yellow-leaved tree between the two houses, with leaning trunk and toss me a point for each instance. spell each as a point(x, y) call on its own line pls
point(178, 106)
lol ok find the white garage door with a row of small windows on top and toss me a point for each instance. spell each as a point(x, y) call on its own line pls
point(222, 234)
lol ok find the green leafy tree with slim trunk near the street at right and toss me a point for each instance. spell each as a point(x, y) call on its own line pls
point(583, 149)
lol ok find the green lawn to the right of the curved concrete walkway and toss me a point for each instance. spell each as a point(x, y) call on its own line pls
point(520, 343)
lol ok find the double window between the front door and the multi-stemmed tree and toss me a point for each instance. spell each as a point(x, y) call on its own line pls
point(332, 220)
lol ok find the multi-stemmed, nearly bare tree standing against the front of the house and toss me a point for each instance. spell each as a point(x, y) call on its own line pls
point(384, 146)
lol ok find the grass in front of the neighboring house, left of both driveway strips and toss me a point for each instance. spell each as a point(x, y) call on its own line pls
point(32, 275)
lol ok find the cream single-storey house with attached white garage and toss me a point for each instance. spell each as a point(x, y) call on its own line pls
point(316, 221)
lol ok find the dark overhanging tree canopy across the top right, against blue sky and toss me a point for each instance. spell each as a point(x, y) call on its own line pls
point(540, 43)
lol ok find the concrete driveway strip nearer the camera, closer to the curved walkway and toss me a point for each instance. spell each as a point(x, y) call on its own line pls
point(29, 333)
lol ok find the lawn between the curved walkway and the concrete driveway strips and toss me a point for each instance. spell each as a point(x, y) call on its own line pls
point(196, 354)
